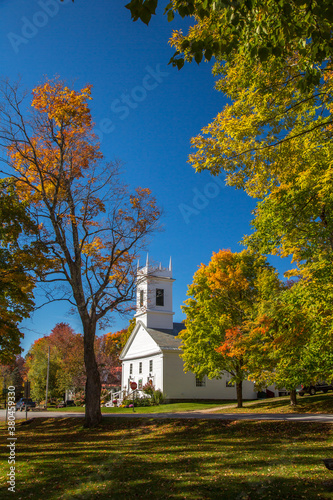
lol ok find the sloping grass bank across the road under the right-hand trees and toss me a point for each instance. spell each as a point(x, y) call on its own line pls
point(320, 403)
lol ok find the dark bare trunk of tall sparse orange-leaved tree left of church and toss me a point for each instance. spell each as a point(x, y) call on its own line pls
point(93, 415)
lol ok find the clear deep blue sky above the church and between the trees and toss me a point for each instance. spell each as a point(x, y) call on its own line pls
point(145, 113)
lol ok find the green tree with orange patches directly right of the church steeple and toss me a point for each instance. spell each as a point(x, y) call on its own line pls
point(224, 296)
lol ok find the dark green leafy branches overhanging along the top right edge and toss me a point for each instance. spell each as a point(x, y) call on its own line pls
point(255, 30)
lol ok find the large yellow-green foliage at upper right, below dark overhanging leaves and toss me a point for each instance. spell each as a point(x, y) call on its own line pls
point(276, 145)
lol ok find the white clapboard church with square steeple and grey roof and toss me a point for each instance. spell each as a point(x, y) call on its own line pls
point(152, 352)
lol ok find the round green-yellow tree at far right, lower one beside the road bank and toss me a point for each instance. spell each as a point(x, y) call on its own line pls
point(289, 342)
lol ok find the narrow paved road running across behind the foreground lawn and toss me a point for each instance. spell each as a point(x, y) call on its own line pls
point(293, 417)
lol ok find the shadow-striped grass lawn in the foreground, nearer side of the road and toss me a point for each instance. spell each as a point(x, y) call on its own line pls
point(175, 459)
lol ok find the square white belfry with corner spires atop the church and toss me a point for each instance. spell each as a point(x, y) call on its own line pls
point(154, 296)
